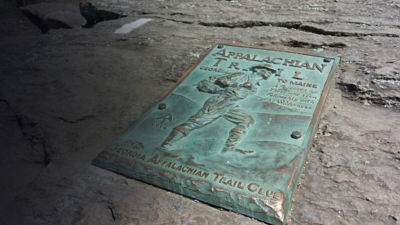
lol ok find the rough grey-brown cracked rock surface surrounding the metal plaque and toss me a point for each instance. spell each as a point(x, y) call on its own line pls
point(67, 94)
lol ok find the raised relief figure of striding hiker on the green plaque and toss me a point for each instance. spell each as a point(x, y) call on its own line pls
point(228, 91)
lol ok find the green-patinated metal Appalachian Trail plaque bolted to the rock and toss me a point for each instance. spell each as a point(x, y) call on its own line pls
point(234, 132)
